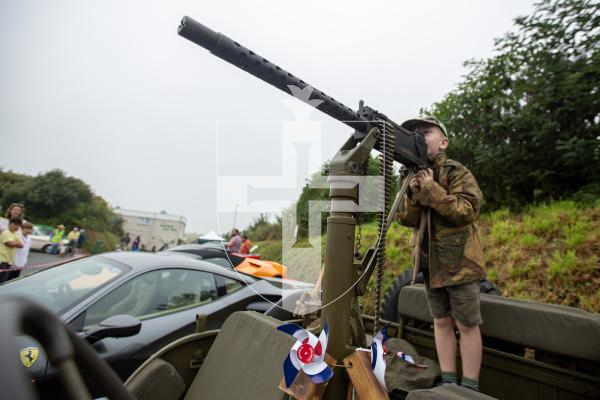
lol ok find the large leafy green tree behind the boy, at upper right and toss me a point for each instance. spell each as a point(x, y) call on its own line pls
point(526, 121)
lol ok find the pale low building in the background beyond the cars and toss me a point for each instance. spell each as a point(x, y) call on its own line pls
point(154, 229)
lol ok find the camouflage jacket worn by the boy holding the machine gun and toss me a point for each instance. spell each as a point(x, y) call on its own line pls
point(448, 207)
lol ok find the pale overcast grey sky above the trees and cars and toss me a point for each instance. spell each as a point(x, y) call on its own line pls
point(108, 92)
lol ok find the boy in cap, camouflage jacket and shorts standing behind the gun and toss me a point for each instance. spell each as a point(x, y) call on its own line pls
point(442, 205)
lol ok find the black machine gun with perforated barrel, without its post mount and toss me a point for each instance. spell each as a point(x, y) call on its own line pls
point(410, 149)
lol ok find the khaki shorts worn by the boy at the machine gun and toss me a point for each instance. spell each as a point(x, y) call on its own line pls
point(460, 301)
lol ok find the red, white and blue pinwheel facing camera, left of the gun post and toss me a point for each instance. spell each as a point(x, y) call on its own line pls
point(307, 354)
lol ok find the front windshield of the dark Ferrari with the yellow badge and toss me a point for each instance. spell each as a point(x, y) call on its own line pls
point(59, 288)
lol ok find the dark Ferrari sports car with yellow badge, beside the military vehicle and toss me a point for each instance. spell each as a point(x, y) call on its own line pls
point(164, 291)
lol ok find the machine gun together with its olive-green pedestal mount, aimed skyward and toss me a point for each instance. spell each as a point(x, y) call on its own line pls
point(372, 130)
